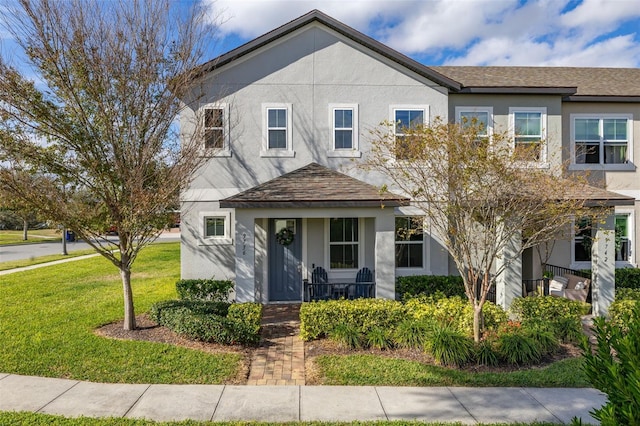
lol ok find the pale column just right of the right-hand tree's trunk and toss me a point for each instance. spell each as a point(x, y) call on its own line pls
point(509, 282)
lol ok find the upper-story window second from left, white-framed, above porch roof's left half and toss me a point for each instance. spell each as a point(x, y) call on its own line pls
point(277, 131)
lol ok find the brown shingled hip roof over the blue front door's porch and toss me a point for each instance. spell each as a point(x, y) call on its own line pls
point(313, 186)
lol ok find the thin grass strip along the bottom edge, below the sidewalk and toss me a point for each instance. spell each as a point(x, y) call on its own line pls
point(45, 419)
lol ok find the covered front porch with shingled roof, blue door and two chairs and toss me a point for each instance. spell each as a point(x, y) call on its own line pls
point(314, 234)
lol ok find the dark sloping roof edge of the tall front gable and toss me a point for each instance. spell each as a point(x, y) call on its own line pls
point(339, 27)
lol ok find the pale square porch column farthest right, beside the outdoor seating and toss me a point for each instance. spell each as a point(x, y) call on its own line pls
point(603, 265)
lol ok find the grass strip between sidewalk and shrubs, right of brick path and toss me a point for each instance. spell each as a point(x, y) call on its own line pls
point(361, 370)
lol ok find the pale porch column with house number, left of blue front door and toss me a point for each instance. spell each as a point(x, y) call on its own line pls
point(245, 256)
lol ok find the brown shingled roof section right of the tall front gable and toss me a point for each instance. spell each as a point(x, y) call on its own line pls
point(616, 84)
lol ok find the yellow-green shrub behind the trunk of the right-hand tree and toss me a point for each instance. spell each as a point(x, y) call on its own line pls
point(455, 311)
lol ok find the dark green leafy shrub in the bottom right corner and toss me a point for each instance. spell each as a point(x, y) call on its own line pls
point(614, 368)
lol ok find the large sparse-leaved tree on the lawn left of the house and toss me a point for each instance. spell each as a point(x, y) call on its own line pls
point(99, 116)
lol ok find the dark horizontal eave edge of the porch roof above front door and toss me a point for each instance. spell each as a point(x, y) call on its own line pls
point(312, 204)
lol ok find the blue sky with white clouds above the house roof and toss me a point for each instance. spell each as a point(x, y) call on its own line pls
point(585, 33)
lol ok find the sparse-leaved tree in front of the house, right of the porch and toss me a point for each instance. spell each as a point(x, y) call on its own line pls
point(479, 195)
